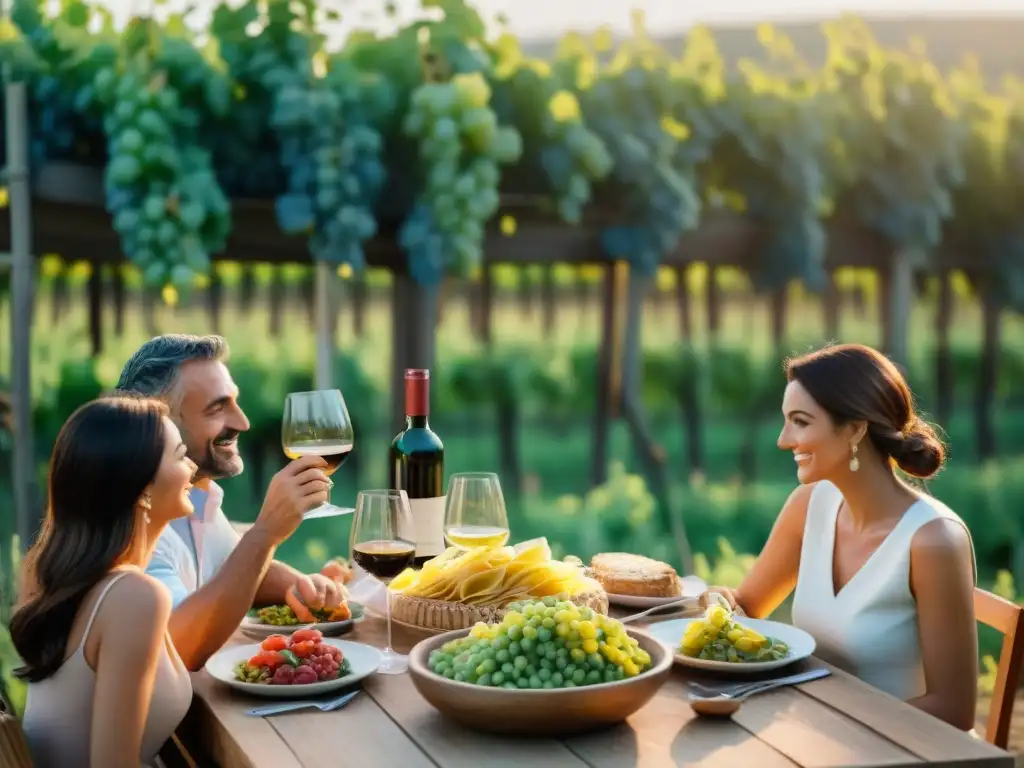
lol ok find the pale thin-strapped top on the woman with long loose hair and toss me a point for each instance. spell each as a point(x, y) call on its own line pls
point(58, 715)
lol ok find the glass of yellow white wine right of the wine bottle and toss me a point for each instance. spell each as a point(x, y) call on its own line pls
point(475, 511)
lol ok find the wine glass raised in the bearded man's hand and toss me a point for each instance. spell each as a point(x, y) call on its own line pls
point(318, 423)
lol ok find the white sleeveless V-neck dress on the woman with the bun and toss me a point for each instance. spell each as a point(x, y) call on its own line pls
point(870, 629)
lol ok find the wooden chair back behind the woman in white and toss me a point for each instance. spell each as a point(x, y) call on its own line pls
point(1008, 619)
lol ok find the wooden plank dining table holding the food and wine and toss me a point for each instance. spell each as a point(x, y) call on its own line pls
point(834, 721)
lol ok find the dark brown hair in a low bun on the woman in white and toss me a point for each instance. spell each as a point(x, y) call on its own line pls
point(854, 382)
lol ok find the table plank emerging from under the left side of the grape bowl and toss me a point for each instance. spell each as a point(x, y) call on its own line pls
point(452, 746)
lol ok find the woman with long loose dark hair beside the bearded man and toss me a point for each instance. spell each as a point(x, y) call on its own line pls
point(106, 687)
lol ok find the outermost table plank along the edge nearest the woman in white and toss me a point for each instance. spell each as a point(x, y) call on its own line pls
point(930, 739)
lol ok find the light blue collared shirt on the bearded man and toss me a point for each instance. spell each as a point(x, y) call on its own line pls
point(193, 549)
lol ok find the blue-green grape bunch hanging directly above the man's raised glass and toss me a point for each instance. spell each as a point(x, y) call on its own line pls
point(328, 169)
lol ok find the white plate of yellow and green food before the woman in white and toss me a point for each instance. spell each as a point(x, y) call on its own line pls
point(720, 642)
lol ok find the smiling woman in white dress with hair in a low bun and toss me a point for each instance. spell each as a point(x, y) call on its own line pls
point(884, 574)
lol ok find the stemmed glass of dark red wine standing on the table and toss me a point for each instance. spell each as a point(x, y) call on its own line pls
point(383, 543)
